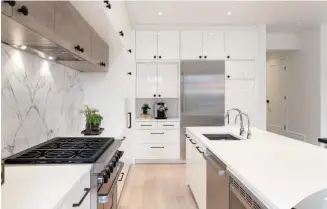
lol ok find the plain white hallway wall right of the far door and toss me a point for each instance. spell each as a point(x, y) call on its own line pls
point(304, 87)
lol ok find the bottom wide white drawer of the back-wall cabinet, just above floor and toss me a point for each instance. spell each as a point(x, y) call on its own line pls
point(158, 151)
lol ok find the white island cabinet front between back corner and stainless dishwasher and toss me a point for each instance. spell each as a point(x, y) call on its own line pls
point(196, 170)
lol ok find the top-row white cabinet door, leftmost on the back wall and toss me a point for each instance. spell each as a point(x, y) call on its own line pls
point(146, 45)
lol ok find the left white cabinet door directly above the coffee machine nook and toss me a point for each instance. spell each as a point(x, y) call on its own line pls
point(146, 80)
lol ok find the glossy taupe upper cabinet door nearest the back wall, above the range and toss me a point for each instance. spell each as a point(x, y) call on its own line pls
point(100, 50)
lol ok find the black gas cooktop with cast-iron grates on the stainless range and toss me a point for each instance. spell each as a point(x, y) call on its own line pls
point(63, 150)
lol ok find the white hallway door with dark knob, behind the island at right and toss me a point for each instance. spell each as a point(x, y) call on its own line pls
point(276, 92)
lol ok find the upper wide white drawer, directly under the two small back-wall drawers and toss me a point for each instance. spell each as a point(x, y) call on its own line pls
point(158, 136)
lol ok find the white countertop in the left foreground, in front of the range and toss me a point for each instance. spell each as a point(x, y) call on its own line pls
point(39, 186)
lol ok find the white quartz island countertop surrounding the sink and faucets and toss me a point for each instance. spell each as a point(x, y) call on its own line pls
point(280, 171)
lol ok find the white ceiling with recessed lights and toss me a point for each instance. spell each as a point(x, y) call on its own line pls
point(206, 13)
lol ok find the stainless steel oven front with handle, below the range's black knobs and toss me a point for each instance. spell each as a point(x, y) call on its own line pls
point(107, 188)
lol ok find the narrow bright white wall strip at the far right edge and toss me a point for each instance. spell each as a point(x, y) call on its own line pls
point(324, 81)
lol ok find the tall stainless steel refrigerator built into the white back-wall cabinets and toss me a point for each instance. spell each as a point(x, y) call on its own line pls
point(202, 95)
